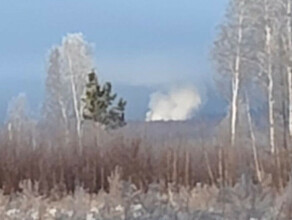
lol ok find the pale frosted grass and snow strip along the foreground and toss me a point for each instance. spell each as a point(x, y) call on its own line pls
point(124, 201)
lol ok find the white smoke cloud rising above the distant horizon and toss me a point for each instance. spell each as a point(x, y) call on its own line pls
point(178, 104)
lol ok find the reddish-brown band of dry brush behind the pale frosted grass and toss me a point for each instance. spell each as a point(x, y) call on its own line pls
point(57, 165)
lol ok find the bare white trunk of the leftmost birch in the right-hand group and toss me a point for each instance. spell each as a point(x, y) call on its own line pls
point(235, 82)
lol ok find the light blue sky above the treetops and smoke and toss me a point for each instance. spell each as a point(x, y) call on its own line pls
point(141, 43)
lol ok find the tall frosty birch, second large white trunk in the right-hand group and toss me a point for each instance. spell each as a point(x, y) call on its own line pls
point(267, 28)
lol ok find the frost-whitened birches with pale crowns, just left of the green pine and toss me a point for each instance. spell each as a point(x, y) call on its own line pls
point(68, 68)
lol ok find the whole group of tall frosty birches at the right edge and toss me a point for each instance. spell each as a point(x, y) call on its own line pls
point(253, 59)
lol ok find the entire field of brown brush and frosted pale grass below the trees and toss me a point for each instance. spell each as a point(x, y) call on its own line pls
point(118, 177)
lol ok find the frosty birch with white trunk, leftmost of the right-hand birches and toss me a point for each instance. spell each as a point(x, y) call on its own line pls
point(230, 51)
